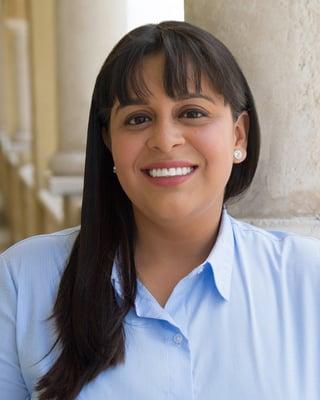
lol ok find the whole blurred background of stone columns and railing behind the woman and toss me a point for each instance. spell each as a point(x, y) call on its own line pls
point(51, 52)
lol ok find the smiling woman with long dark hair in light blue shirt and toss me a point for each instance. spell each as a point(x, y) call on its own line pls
point(161, 294)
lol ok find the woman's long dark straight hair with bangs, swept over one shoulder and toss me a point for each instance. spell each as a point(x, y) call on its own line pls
point(88, 315)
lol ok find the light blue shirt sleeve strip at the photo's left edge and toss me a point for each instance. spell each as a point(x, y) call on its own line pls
point(12, 385)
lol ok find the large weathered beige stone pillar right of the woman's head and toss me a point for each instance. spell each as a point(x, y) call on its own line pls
point(276, 46)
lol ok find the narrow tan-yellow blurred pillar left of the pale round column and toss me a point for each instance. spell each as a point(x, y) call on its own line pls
point(41, 18)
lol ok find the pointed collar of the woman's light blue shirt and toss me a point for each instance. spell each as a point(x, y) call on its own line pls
point(220, 259)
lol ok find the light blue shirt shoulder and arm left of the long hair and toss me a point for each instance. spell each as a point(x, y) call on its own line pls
point(30, 273)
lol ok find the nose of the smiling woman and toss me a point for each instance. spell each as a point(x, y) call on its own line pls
point(165, 136)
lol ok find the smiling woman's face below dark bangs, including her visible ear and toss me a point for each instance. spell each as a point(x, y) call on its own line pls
point(174, 156)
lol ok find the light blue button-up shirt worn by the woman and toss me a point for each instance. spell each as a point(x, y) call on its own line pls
point(243, 325)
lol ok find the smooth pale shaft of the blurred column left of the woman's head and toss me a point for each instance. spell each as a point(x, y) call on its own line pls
point(85, 34)
